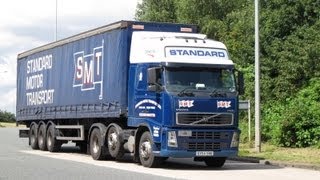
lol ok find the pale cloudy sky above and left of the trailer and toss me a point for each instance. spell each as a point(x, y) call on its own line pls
point(26, 24)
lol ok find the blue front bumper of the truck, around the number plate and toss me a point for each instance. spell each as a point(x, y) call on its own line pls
point(216, 142)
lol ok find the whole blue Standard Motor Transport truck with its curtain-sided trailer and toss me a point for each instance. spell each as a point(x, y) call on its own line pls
point(146, 89)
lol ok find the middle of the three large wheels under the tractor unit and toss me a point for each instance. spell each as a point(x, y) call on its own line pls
point(115, 146)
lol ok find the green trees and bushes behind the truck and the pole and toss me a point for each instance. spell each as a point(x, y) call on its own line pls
point(289, 56)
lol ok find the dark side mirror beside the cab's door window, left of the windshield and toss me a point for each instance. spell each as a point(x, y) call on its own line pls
point(154, 74)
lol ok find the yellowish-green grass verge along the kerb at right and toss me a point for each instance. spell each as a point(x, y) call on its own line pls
point(289, 155)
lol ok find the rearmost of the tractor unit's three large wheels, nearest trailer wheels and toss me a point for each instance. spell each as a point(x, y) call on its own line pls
point(97, 150)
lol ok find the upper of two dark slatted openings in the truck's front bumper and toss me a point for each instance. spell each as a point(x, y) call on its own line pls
point(209, 135)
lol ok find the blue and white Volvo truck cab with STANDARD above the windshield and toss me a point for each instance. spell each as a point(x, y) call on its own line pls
point(185, 92)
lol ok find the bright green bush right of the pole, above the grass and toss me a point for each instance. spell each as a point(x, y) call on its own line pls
point(296, 122)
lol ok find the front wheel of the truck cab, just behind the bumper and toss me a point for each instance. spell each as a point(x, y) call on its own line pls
point(146, 155)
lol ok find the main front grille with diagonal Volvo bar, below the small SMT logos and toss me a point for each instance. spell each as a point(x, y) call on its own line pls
point(204, 119)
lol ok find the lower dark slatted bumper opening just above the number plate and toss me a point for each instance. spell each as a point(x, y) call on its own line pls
point(206, 146)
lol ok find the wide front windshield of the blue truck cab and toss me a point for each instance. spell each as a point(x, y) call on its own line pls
point(204, 80)
